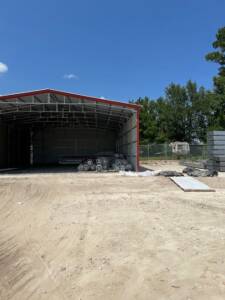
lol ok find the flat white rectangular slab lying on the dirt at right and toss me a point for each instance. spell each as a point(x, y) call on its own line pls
point(189, 184)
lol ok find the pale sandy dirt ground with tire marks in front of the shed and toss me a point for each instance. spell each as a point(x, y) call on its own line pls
point(104, 236)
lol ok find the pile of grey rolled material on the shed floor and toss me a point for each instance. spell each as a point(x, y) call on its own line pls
point(103, 163)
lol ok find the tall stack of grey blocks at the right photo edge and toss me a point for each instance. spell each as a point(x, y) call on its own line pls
point(216, 150)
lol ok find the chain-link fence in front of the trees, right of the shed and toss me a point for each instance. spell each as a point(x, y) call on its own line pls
point(164, 152)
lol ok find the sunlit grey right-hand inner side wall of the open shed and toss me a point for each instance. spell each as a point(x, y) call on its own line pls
point(127, 140)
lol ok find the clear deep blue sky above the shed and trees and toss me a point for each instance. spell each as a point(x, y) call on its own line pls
point(113, 49)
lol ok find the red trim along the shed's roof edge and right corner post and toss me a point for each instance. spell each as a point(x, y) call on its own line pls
point(100, 100)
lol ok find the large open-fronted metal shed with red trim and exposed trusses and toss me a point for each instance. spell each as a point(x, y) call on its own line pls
point(40, 127)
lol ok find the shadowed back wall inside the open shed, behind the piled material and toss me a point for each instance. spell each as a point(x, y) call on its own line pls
point(51, 144)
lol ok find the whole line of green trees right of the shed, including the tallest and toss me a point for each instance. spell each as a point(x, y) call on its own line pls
point(186, 113)
